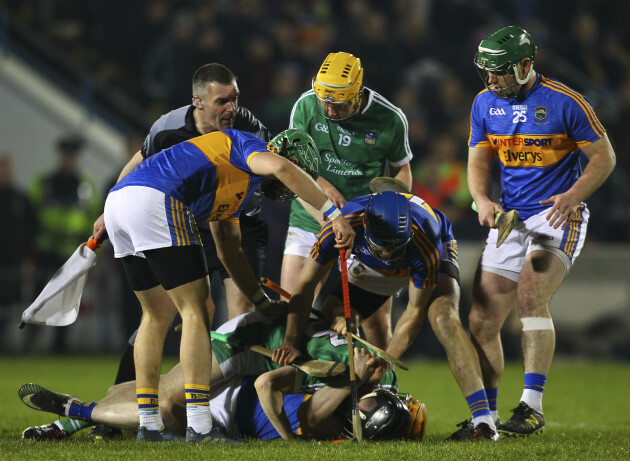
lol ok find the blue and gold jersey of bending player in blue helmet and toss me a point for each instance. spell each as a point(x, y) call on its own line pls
point(422, 258)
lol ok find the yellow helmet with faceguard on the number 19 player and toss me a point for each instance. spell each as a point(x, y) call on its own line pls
point(339, 82)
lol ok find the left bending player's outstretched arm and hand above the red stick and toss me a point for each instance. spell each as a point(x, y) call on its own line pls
point(299, 182)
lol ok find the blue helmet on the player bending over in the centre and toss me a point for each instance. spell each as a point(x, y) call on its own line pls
point(387, 225)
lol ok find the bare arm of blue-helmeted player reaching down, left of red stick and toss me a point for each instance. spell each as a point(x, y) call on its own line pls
point(299, 311)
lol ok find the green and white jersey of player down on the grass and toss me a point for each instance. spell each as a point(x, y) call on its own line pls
point(321, 343)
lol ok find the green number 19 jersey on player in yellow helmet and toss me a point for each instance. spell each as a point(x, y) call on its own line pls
point(353, 152)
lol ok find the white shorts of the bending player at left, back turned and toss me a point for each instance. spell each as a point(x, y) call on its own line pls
point(139, 218)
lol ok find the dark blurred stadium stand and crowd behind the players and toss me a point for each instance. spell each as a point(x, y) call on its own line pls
point(106, 69)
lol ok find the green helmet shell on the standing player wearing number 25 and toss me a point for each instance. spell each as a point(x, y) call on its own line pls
point(503, 51)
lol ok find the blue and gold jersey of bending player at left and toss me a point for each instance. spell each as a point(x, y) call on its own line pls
point(209, 174)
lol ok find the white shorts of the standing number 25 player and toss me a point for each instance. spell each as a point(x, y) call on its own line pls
point(534, 233)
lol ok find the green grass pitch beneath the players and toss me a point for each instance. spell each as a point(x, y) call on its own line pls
point(586, 405)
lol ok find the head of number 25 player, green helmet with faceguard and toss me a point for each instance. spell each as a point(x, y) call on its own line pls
point(501, 54)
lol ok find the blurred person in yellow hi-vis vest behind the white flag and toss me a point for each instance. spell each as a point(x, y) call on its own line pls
point(66, 203)
